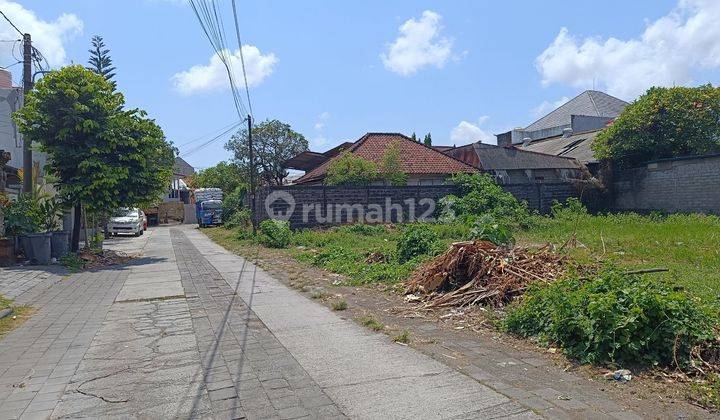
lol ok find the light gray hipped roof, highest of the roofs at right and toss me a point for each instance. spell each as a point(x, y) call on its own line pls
point(591, 103)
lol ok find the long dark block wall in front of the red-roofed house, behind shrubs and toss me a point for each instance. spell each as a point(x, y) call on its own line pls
point(398, 204)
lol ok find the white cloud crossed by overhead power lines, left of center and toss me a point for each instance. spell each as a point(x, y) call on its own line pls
point(213, 76)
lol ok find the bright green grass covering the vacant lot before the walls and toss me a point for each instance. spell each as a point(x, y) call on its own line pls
point(688, 245)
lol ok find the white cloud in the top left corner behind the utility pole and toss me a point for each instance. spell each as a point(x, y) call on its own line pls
point(48, 37)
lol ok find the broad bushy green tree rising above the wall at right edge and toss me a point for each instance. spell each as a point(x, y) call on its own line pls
point(663, 123)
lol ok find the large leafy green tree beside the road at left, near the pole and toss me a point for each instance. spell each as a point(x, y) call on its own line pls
point(102, 156)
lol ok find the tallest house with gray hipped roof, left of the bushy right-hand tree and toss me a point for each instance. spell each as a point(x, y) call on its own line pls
point(568, 130)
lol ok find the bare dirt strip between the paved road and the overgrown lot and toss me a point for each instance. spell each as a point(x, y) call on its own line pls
point(453, 337)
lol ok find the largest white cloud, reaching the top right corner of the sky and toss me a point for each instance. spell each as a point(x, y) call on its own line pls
point(668, 51)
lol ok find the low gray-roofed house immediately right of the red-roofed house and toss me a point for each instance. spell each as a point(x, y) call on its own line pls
point(512, 165)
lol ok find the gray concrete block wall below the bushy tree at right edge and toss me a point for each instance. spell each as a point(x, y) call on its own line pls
point(680, 185)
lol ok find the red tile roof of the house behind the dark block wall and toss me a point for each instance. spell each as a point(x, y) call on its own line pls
point(415, 158)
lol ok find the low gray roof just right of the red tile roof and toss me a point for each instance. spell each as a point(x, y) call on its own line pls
point(490, 157)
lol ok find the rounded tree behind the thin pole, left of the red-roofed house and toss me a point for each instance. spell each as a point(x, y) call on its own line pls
point(274, 142)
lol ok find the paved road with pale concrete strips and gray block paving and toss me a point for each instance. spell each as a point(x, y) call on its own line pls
point(187, 330)
